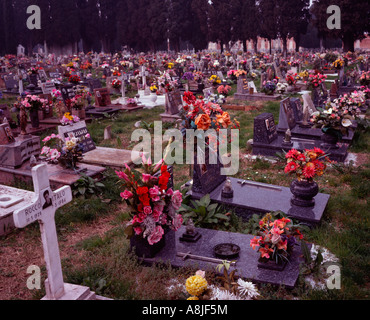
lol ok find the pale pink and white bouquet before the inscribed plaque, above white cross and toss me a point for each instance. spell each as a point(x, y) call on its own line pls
point(66, 153)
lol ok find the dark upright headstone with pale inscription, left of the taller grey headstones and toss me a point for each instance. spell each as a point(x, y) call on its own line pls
point(265, 128)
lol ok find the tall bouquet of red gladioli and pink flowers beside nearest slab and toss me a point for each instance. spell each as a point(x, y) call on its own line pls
point(153, 205)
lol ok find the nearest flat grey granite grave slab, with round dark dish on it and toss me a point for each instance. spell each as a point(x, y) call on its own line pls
point(182, 254)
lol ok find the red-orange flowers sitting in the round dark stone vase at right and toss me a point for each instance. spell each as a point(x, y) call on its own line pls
point(307, 164)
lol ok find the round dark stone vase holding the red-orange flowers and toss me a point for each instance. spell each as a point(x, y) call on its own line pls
point(303, 193)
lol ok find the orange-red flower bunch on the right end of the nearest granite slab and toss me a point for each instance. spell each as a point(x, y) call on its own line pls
point(276, 238)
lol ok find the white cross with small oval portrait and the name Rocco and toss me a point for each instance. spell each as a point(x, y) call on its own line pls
point(42, 209)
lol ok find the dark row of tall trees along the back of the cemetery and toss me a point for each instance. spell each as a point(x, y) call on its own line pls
point(146, 25)
